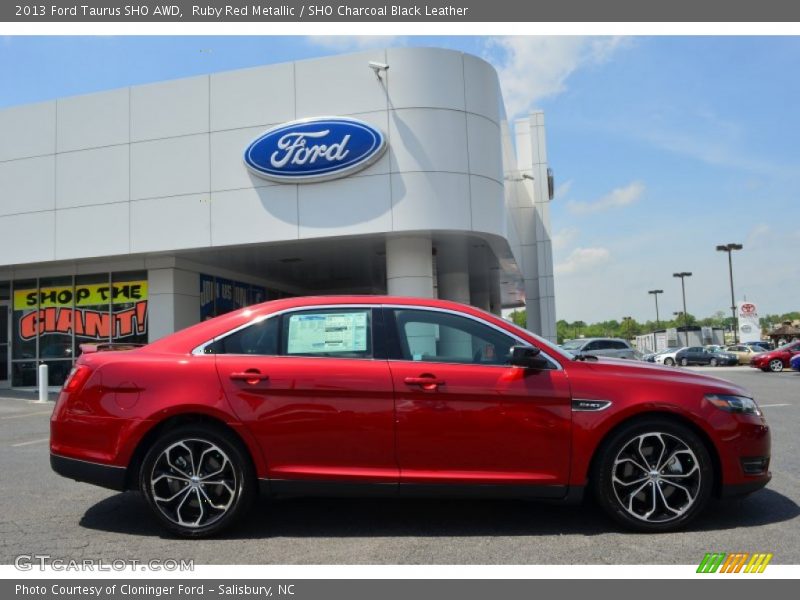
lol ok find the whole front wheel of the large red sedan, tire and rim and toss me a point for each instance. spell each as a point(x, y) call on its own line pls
point(653, 475)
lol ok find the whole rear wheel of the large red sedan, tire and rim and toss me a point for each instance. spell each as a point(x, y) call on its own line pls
point(235, 492)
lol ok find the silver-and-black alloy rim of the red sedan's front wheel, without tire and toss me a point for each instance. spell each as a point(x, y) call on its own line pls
point(656, 477)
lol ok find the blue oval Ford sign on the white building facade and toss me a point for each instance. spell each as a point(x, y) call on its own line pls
point(316, 149)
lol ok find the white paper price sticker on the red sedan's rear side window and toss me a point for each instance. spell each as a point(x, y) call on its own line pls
point(328, 332)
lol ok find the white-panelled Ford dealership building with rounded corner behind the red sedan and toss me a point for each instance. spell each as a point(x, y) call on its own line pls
point(128, 214)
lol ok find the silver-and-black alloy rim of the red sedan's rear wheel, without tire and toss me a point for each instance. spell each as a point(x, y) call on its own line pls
point(193, 483)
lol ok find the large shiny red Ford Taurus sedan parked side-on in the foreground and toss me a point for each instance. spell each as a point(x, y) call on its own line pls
point(398, 396)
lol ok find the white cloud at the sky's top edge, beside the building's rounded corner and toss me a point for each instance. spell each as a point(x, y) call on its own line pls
point(536, 67)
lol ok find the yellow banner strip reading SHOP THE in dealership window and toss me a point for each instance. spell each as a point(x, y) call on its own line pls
point(82, 295)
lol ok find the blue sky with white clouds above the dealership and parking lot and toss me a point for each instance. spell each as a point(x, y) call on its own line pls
point(662, 147)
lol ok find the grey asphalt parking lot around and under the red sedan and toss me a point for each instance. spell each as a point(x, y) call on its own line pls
point(42, 513)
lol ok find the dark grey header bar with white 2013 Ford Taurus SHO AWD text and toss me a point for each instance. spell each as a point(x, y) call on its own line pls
point(176, 11)
